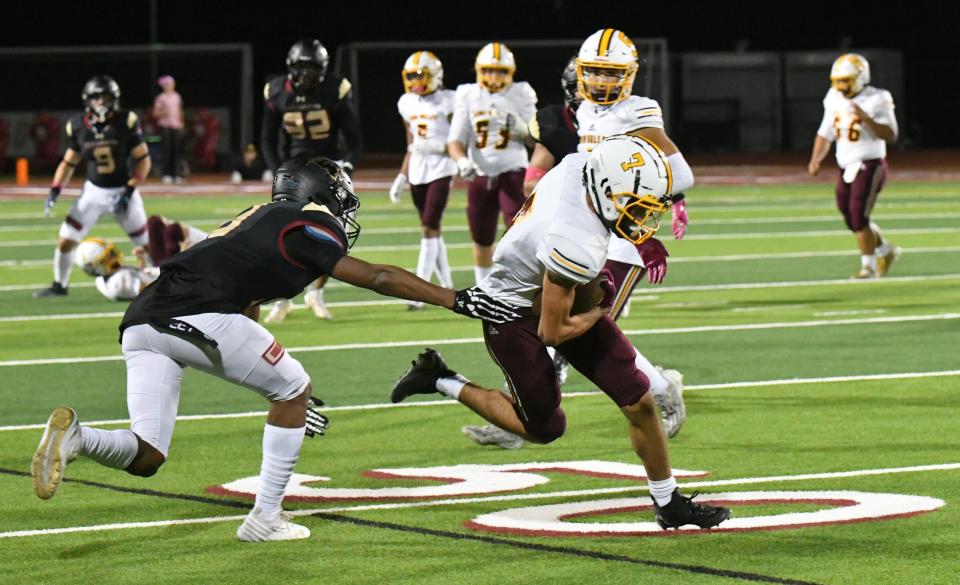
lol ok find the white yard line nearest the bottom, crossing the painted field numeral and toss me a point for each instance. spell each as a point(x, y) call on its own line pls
point(485, 499)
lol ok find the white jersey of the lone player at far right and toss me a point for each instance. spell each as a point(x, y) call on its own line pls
point(855, 142)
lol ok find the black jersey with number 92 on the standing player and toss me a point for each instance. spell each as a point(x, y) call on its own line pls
point(312, 122)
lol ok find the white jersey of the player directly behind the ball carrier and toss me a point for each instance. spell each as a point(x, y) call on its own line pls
point(596, 122)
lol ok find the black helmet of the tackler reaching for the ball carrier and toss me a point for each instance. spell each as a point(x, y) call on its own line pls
point(315, 179)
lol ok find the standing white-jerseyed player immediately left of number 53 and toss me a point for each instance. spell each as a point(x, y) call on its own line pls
point(426, 109)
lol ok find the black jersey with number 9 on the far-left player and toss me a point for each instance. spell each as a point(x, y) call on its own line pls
point(106, 146)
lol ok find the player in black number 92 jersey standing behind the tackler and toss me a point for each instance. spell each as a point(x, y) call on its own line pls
point(306, 112)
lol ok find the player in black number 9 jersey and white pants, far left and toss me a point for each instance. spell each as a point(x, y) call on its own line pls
point(105, 136)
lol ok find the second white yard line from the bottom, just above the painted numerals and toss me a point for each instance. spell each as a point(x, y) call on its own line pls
point(566, 395)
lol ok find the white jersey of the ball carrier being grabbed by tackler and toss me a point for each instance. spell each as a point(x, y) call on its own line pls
point(555, 230)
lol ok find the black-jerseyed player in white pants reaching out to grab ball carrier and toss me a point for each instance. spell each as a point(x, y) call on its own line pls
point(202, 312)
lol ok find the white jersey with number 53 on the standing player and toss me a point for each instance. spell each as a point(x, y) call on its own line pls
point(481, 120)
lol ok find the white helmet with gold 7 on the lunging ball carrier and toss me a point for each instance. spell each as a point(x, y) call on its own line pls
point(628, 180)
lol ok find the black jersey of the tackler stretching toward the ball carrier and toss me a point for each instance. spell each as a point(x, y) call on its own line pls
point(270, 251)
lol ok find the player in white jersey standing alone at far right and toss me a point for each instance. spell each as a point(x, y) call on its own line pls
point(861, 120)
